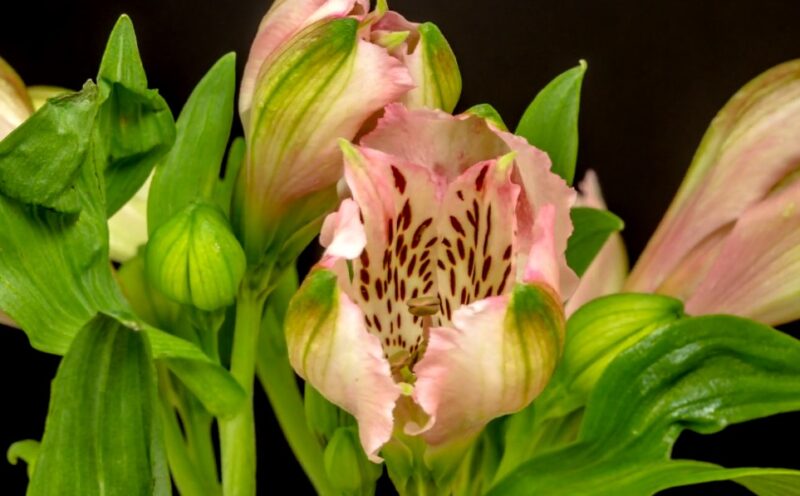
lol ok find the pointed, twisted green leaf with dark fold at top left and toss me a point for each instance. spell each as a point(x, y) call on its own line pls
point(135, 124)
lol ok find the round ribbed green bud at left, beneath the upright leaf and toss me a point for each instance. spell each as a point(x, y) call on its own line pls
point(195, 259)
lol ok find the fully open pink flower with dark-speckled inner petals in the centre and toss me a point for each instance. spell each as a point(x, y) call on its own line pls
point(437, 305)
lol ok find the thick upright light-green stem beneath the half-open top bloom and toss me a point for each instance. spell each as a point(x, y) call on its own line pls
point(237, 432)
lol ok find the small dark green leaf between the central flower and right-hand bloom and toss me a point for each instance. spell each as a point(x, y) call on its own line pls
point(592, 227)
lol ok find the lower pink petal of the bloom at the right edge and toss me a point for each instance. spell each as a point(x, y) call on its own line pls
point(757, 272)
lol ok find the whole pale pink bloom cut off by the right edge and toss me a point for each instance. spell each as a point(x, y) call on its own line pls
point(730, 242)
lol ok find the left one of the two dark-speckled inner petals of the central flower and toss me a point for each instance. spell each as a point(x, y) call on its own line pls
point(399, 203)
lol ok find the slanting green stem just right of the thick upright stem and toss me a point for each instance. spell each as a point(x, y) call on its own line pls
point(278, 379)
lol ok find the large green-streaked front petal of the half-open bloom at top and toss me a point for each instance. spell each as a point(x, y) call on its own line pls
point(321, 86)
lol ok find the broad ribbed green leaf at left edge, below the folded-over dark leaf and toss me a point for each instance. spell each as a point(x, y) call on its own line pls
point(56, 273)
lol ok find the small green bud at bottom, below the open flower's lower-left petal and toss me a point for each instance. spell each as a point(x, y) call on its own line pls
point(346, 464)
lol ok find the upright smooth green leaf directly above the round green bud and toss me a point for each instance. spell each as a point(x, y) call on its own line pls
point(191, 170)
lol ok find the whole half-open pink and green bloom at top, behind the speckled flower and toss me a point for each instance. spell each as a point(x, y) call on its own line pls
point(320, 70)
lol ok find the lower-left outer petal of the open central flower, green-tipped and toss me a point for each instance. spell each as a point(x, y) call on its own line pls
point(330, 347)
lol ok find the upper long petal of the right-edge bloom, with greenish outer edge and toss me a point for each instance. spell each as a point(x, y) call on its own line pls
point(750, 146)
